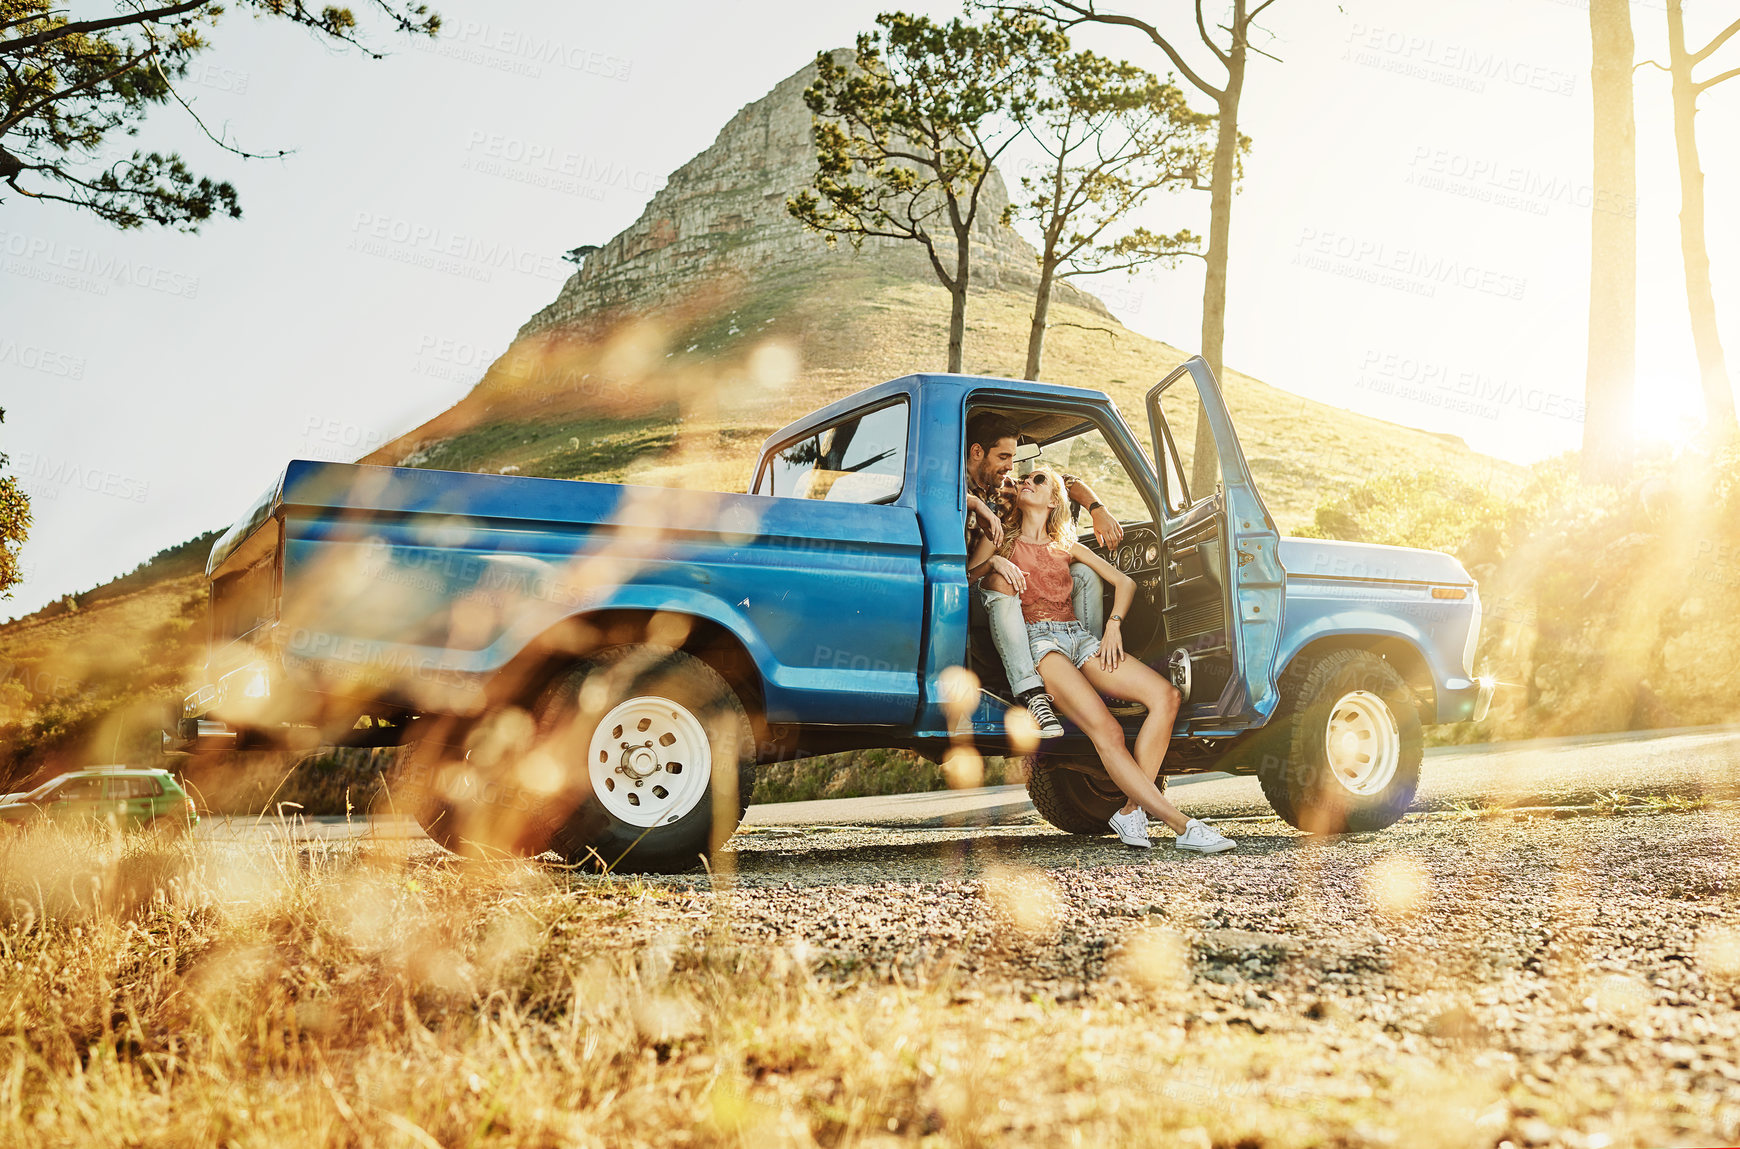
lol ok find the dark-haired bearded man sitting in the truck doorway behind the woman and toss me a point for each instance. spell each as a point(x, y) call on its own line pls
point(991, 457)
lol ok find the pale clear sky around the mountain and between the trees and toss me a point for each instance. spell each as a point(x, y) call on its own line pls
point(1412, 239)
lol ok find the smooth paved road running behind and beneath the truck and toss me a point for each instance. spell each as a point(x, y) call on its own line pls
point(1551, 772)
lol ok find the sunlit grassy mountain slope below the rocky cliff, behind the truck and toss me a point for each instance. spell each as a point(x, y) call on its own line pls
point(686, 398)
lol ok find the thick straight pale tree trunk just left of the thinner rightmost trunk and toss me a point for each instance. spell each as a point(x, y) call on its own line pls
point(1612, 366)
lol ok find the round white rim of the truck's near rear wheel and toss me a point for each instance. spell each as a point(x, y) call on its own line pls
point(650, 762)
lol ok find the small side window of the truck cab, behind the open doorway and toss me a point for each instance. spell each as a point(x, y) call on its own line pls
point(859, 460)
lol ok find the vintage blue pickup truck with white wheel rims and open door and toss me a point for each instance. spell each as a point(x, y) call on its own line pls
point(599, 669)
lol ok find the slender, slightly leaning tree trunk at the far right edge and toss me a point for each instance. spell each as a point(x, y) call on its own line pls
point(1701, 300)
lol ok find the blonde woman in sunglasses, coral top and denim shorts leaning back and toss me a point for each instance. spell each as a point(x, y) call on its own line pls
point(1078, 668)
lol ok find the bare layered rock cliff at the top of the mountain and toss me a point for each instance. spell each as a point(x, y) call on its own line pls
point(721, 218)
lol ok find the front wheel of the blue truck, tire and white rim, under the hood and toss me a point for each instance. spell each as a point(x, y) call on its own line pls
point(1346, 748)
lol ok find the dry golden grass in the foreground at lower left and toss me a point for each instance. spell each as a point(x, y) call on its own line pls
point(194, 993)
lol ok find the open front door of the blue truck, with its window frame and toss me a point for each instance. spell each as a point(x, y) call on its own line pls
point(1222, 577)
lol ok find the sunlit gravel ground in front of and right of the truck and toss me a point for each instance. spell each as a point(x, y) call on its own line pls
point(1586, 964)
